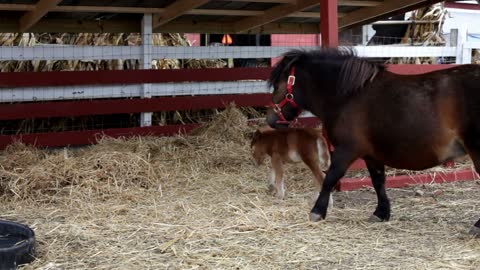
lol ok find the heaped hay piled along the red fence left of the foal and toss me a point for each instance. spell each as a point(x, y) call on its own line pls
point(114, 165)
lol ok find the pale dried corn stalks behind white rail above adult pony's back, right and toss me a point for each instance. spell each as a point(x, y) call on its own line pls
point(424, 34)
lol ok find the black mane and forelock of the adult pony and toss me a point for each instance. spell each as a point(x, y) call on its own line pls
point(353, 75)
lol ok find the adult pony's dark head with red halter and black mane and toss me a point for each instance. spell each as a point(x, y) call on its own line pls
point(304, 75)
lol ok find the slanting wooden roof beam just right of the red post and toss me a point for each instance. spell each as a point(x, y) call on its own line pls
point(387, 8)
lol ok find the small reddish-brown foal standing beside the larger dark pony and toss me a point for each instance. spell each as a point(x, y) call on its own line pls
point(291, 146)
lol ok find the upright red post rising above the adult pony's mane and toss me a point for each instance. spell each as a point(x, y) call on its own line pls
point(329, 22)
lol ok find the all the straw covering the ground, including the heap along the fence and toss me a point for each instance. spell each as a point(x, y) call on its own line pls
point(199, 203)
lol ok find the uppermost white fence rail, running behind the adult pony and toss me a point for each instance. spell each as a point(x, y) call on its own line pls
point(58, 52)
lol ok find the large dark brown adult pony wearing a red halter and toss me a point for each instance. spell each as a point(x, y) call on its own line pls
point(403, 121)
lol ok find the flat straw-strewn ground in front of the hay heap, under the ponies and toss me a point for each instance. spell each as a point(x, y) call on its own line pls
point(207, 225)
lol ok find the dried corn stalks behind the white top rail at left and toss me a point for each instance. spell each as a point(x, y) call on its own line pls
point(97, 39)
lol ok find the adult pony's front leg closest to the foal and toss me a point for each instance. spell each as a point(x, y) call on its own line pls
point(342, 158)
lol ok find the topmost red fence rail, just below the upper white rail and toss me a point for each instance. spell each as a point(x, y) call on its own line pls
point(112, 77)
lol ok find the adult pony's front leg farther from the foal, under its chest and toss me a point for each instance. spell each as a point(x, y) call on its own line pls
point(377, 173)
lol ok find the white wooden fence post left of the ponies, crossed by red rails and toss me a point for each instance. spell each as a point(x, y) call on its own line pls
point(147, 43)
